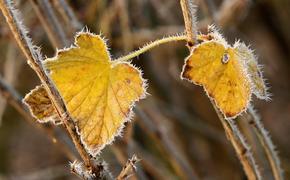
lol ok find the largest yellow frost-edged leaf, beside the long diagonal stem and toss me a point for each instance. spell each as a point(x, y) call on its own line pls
point(98, 92)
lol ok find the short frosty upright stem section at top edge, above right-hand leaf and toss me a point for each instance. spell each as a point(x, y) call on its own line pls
point(189, 10)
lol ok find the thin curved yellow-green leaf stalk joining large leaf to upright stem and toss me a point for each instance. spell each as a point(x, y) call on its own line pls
point(151, 45)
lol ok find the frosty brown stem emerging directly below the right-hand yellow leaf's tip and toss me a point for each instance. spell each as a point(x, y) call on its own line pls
point(241, 147)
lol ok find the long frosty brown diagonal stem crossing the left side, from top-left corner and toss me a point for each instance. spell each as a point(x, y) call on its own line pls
point(34, 60)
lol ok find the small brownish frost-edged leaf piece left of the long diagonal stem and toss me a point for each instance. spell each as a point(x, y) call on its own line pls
point(40, 105)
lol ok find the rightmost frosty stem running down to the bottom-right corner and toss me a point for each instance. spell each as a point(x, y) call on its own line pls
point(269, 147)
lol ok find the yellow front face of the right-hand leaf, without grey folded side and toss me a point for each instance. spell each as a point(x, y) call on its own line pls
point(219, 70)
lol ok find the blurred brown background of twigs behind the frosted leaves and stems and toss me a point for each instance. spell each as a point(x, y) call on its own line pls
point(175, 130)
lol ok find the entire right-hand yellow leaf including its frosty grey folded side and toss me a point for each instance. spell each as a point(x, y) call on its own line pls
point(229, 74)
